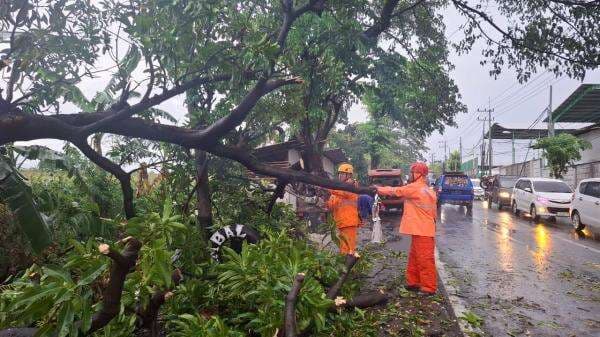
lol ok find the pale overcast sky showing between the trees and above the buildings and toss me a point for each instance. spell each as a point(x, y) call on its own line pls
point(515, 105)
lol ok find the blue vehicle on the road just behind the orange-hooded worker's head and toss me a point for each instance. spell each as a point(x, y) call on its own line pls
point(455, 188)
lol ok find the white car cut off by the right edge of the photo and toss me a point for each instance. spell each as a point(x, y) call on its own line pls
point(585, 208)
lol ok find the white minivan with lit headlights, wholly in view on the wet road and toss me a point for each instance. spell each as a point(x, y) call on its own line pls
point(541, 197)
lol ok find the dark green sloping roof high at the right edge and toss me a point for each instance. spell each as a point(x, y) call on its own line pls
point(583, 106)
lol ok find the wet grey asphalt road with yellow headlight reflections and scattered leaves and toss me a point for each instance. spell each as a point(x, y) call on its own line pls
point(523, 278)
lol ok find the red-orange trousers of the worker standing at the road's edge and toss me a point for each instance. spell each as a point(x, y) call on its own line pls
point(421, 271)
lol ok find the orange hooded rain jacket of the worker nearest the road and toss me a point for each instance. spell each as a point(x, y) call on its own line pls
point(420, 207)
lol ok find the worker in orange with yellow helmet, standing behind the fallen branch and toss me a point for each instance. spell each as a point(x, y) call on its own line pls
point(344, 206)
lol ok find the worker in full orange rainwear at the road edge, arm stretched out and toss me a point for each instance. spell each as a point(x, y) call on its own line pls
point(418, 220)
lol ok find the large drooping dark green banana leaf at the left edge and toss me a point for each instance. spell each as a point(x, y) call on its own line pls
point(17, 195)
